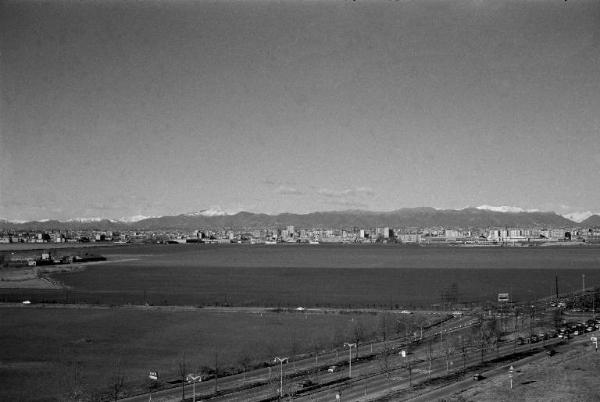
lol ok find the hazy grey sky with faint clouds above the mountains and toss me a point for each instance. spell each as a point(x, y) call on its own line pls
point(146, 108)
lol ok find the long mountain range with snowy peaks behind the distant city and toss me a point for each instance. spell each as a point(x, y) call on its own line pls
point(406, 217)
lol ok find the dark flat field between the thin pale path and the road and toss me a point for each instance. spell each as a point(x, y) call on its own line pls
point(51, 352)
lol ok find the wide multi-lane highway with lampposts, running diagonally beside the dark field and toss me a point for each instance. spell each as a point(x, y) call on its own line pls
point(373, 376)
